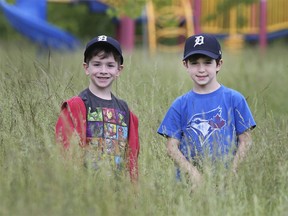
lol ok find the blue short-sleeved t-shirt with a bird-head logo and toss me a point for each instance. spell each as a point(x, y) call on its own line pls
point(207, 123)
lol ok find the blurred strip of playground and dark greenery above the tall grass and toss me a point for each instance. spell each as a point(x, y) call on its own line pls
point(156, 25)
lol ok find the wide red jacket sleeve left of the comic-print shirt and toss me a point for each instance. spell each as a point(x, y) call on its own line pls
point(72, 120)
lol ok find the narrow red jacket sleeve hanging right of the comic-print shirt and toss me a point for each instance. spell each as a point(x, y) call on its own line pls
point(134, 146)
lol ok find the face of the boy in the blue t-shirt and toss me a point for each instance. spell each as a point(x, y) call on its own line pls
point(203, 70)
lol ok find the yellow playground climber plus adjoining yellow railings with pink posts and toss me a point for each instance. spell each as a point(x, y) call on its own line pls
point(261, 21)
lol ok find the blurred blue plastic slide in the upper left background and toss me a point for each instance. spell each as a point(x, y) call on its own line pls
point(29, 18)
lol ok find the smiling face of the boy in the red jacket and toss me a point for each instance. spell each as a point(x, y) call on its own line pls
point(102, 71)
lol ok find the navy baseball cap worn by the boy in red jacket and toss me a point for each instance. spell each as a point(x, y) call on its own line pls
point(103, 39)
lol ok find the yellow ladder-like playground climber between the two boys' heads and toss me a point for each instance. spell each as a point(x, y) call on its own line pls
point(170, 21)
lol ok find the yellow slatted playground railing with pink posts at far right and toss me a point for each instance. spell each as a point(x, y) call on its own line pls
point(260, 22)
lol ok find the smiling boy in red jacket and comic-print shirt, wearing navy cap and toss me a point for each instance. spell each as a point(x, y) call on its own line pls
point(106, 128)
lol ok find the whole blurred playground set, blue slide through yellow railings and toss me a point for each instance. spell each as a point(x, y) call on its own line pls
point(167, 26)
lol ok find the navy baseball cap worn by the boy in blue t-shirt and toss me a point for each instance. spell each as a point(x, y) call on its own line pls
point(202, 44)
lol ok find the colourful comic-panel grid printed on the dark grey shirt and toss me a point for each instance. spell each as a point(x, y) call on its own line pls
point(107, 134)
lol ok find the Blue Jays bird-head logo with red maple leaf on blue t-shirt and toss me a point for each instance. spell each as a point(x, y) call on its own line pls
point(205, 124)
